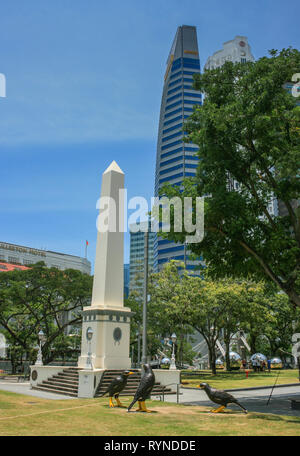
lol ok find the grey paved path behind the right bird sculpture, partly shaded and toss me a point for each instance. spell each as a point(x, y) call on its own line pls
point(253, 400)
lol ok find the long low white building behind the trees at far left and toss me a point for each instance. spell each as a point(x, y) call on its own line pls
point(25, 256)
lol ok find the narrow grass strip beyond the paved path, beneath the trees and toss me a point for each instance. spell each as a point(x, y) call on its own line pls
point(227, 380)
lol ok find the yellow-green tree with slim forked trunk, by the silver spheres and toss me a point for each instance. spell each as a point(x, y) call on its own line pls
point(223, 307)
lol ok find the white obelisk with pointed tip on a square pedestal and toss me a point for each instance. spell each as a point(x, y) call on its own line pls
point(107, 319)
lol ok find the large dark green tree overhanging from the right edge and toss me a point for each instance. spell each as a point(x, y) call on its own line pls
point(248, 135)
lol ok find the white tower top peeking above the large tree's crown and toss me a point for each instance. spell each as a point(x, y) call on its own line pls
point(237, 50)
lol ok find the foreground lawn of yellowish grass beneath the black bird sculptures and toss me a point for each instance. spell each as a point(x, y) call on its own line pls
point(30, 416)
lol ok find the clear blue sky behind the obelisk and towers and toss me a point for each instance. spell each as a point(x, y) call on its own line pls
point(84, 81)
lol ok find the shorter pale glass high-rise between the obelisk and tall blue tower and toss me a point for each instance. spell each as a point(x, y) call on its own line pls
point(136, 267)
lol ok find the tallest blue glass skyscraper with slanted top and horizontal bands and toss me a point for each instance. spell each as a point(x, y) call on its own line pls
point(176, 160)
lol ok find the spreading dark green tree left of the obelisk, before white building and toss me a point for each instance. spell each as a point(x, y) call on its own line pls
point(41, 298)
